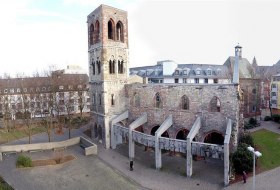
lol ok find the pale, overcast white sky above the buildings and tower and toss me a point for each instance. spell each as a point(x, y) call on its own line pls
point(38, 33)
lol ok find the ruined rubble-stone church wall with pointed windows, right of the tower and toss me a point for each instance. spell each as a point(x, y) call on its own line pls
point(199, 98)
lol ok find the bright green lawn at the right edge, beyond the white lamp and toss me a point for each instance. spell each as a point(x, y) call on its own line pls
point(268, 143)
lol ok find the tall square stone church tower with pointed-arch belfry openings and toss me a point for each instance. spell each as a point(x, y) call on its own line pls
point(108, 67)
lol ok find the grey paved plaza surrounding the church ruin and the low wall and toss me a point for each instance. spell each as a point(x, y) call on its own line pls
point(110, 170)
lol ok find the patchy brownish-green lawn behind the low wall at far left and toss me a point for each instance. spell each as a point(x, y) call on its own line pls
point(18, 134)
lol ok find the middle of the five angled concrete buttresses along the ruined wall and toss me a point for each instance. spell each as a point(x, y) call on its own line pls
point(164, 126)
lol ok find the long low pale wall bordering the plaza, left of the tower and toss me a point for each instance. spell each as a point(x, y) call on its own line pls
point(89, 147)
